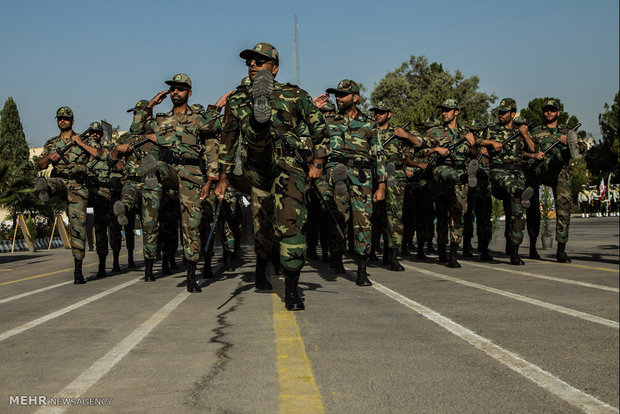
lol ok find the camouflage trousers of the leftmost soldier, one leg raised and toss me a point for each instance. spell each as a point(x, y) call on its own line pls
point(76, 196)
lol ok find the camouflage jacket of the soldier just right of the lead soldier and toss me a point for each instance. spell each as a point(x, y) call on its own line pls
point(355, 142)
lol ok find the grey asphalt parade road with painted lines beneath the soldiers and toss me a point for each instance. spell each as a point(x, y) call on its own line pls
point(486, 338)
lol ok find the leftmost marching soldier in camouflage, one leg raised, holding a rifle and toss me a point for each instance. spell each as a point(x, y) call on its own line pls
point(68, 180)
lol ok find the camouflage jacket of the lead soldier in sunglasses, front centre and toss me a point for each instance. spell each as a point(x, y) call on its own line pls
point(290, 106)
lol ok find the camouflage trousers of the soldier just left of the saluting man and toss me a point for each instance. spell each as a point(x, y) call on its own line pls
point(137, 197)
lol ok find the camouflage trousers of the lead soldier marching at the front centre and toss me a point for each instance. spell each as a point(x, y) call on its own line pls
point(279, 215)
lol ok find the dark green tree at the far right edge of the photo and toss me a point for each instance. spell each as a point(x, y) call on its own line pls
point(604, 157)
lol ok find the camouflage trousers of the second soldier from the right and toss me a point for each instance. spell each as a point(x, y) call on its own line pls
point(508, 185)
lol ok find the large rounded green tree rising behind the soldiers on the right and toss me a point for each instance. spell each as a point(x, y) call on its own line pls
point(414, 90)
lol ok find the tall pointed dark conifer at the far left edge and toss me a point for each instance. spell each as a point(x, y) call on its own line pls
point(14, 154)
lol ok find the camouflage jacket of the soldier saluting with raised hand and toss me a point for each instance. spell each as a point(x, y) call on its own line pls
point(188, 135)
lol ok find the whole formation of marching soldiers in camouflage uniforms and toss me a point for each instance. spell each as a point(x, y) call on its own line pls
point(289, 152)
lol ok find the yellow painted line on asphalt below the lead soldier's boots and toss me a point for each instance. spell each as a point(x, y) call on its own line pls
point(298, 391)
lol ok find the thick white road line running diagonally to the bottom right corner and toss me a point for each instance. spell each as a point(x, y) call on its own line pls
point(530, 371)
